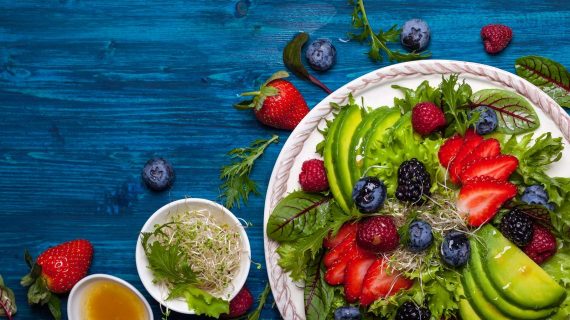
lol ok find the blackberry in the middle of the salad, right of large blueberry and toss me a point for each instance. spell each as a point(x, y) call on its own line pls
point(413, 181)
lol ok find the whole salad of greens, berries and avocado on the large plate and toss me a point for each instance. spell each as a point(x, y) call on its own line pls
point(438, 207)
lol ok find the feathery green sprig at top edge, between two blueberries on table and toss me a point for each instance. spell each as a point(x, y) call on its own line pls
point(378, 41)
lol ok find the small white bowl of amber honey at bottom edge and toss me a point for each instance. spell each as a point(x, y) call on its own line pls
point(104, 297)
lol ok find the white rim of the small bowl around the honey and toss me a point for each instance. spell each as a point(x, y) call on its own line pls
point(76, 302)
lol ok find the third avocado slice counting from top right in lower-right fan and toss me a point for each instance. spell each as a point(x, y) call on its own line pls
point(480, 305)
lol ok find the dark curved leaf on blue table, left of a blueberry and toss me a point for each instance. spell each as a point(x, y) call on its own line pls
point(292, 60)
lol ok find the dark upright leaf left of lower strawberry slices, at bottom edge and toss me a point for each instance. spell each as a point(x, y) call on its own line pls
point(318, 294)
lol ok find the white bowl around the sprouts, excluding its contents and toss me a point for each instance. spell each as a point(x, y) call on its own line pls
point(162, 215)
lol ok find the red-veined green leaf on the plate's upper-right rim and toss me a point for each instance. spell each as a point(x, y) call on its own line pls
point(515, 114)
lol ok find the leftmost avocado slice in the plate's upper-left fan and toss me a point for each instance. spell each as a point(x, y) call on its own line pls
point(329, 159)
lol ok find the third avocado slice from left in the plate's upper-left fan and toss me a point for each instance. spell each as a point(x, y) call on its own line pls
point(359, 140)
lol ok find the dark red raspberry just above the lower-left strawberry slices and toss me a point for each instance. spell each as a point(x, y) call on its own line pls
point(378, 234)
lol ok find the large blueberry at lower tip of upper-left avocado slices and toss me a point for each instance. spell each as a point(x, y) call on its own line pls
point(369, 194)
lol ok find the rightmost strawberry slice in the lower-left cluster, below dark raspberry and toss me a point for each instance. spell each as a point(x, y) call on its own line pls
point(381, 282)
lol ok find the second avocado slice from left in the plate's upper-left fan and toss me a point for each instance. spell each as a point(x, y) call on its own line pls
point(344, 136)
